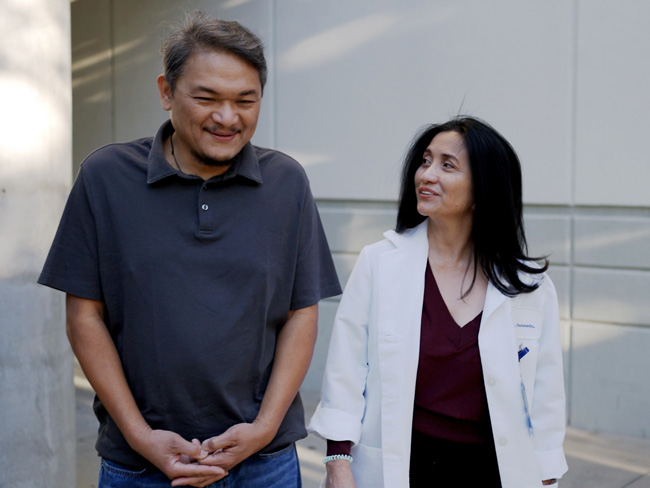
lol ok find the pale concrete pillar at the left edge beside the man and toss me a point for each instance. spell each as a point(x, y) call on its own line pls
point(37, 437)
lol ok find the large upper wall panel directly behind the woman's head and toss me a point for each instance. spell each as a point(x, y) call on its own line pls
point(372, 73)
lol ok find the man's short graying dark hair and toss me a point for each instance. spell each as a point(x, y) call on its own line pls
point(202, 32)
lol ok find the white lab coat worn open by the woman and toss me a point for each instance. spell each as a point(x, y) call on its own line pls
point(369, 382)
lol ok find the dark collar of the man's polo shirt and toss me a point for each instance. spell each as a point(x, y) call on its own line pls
point(245, 165)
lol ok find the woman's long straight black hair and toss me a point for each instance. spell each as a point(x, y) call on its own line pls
point(498, 233)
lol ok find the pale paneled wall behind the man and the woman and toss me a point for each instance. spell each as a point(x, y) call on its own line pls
point(350, 82)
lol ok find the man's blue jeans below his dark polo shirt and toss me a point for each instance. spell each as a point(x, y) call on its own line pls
point(274, 470)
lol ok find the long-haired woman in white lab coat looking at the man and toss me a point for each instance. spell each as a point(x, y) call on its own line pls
point(445, 364)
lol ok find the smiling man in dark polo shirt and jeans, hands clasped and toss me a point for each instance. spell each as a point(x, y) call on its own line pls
point(193, 263)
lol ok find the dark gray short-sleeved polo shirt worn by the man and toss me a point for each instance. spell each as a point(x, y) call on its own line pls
point(198, 278)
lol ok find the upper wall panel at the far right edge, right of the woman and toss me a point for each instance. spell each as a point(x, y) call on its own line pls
point(612, 100)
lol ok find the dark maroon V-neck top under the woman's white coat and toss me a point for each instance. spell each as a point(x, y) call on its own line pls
point(450, 401)
